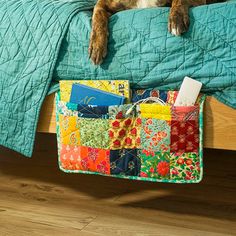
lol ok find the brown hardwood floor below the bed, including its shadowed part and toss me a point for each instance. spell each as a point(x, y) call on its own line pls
point(38, 199)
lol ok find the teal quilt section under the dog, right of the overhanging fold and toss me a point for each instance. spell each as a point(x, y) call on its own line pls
point(141, 50)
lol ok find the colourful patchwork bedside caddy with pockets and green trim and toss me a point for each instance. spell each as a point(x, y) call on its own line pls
point(152, 143)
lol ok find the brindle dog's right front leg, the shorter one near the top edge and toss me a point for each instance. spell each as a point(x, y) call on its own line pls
point(179, 18)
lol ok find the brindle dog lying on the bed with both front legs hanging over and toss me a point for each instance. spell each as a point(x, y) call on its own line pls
point(178, 19)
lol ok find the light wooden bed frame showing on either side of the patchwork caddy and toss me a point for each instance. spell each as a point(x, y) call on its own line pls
point(219, 123)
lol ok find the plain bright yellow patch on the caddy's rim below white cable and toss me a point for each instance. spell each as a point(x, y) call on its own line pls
point(155, 111)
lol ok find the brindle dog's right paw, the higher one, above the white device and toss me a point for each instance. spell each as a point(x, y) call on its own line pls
point(178, 22)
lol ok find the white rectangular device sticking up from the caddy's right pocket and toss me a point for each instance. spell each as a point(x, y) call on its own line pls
point(188, 92)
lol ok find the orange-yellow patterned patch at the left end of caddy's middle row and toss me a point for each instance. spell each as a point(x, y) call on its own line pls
point(69, 130)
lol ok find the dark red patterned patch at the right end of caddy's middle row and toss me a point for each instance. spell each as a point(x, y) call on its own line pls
point(184, 136)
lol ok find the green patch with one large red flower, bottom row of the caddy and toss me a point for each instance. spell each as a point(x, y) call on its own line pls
point(155, 164)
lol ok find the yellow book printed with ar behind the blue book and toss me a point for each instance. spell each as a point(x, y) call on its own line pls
point(119, 87)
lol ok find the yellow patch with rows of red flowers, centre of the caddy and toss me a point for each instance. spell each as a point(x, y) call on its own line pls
point(125, 133)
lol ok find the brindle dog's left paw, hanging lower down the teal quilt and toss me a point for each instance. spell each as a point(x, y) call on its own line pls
point(97, 49)
